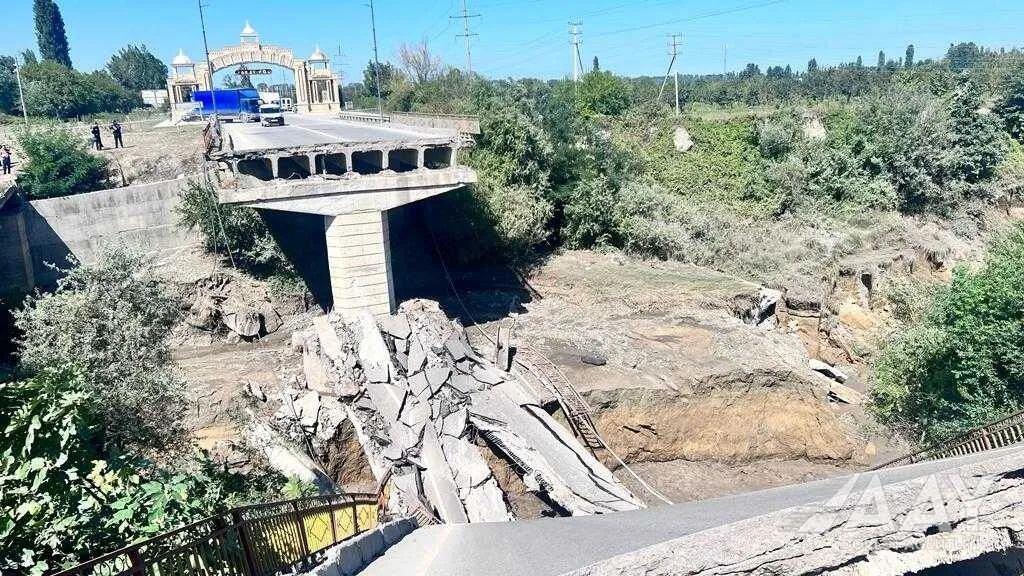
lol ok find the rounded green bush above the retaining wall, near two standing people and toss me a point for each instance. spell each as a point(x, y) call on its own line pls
point(59, 164)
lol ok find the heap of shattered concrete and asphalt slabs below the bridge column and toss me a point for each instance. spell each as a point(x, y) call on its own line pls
point(420, 398)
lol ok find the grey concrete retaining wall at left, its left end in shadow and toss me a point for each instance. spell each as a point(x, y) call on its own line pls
point(35, 234)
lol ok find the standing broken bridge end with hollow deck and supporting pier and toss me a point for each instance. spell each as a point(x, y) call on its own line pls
point(334, 190)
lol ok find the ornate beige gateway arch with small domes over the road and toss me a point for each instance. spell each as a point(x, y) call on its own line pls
point(316, 85)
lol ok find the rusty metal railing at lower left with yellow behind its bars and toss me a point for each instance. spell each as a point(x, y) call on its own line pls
point(257, 541)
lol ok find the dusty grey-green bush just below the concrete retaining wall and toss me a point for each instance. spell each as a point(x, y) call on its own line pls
point(110, 320)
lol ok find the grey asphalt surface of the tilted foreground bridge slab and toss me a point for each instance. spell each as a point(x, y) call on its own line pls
point(553, 547)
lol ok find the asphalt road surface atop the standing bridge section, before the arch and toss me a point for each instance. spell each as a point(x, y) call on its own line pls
point(313, 131)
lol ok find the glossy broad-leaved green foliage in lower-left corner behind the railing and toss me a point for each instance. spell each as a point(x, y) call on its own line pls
point(64, 499)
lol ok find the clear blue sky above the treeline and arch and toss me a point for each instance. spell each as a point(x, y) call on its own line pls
point(531, 37)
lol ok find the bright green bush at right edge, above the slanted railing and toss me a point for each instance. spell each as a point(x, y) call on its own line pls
point(964, 365)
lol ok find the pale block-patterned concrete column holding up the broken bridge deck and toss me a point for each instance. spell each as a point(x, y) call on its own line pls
point(360, 262)
